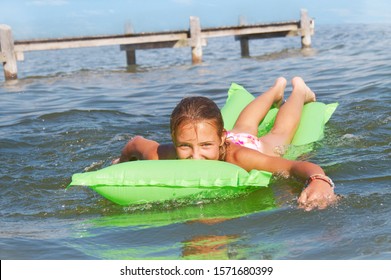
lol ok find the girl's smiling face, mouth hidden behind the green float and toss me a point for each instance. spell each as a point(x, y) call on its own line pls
point(198, 141)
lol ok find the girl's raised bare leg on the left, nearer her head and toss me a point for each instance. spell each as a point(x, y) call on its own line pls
point(249, 119)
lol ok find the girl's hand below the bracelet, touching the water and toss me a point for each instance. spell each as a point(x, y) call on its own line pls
point(318, 194)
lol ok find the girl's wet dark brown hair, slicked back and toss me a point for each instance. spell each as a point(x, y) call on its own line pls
point(195, 109)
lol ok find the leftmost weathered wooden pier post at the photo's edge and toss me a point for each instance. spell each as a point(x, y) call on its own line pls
point(7, 51)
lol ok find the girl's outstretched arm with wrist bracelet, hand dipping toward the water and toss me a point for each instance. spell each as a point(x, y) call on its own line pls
point(318, 193)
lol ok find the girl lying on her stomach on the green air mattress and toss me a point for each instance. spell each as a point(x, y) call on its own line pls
point(197, 132)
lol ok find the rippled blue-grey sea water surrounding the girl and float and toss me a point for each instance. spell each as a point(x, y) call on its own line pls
point(73, 110)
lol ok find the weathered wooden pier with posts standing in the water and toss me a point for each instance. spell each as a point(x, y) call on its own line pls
point(195, 37)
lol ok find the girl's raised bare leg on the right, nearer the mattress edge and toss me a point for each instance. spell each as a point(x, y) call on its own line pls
point(288, 117)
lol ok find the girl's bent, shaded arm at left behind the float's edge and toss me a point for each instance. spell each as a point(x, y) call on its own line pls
point(140, 148)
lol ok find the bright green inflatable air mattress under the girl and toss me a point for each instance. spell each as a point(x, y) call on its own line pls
point(152, 181)
